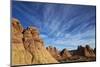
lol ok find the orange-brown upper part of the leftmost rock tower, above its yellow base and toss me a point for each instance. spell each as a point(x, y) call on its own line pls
point(16, 31)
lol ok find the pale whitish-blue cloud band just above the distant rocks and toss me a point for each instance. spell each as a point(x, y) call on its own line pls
point(71, 41)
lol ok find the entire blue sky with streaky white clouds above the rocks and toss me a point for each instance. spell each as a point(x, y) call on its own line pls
point(62, 26)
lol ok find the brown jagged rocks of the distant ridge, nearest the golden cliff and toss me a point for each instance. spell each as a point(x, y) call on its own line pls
point(62, 55)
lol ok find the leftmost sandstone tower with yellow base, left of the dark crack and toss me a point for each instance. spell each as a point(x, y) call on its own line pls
point(19, 55)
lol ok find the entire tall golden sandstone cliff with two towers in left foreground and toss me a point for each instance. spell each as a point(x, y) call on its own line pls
point(27, 46)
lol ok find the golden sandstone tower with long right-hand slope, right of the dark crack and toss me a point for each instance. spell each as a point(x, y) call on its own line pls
point(34, 44)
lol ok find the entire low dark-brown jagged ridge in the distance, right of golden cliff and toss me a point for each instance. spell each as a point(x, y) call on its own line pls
point(80, 54)
